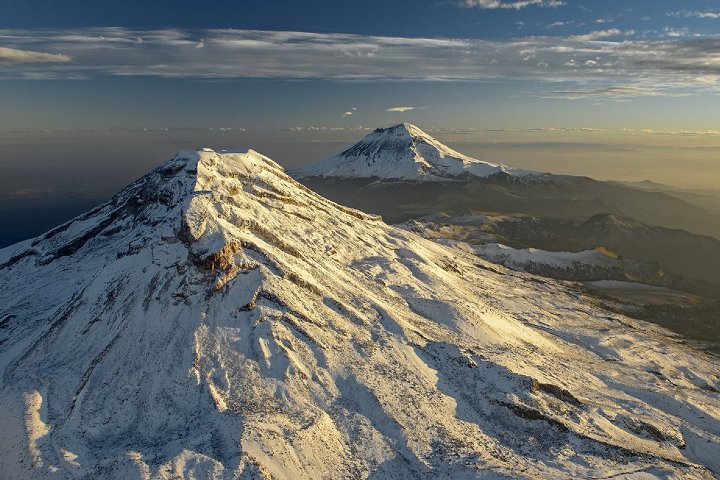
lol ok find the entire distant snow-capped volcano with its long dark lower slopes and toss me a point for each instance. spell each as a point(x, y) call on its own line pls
point(402, 173)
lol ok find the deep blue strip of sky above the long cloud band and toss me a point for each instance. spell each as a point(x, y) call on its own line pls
point(438, 18)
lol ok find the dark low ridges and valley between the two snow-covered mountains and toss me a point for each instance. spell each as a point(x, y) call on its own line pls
point(666, 276)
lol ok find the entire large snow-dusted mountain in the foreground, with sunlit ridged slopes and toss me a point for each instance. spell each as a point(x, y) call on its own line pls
point(218, 320)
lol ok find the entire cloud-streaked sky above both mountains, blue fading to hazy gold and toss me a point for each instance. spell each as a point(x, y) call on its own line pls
point(93, 94)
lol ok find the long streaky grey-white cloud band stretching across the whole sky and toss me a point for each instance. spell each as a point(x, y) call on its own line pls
point(608, 62)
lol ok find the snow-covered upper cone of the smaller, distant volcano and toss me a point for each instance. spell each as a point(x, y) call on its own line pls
point(404, 152)
